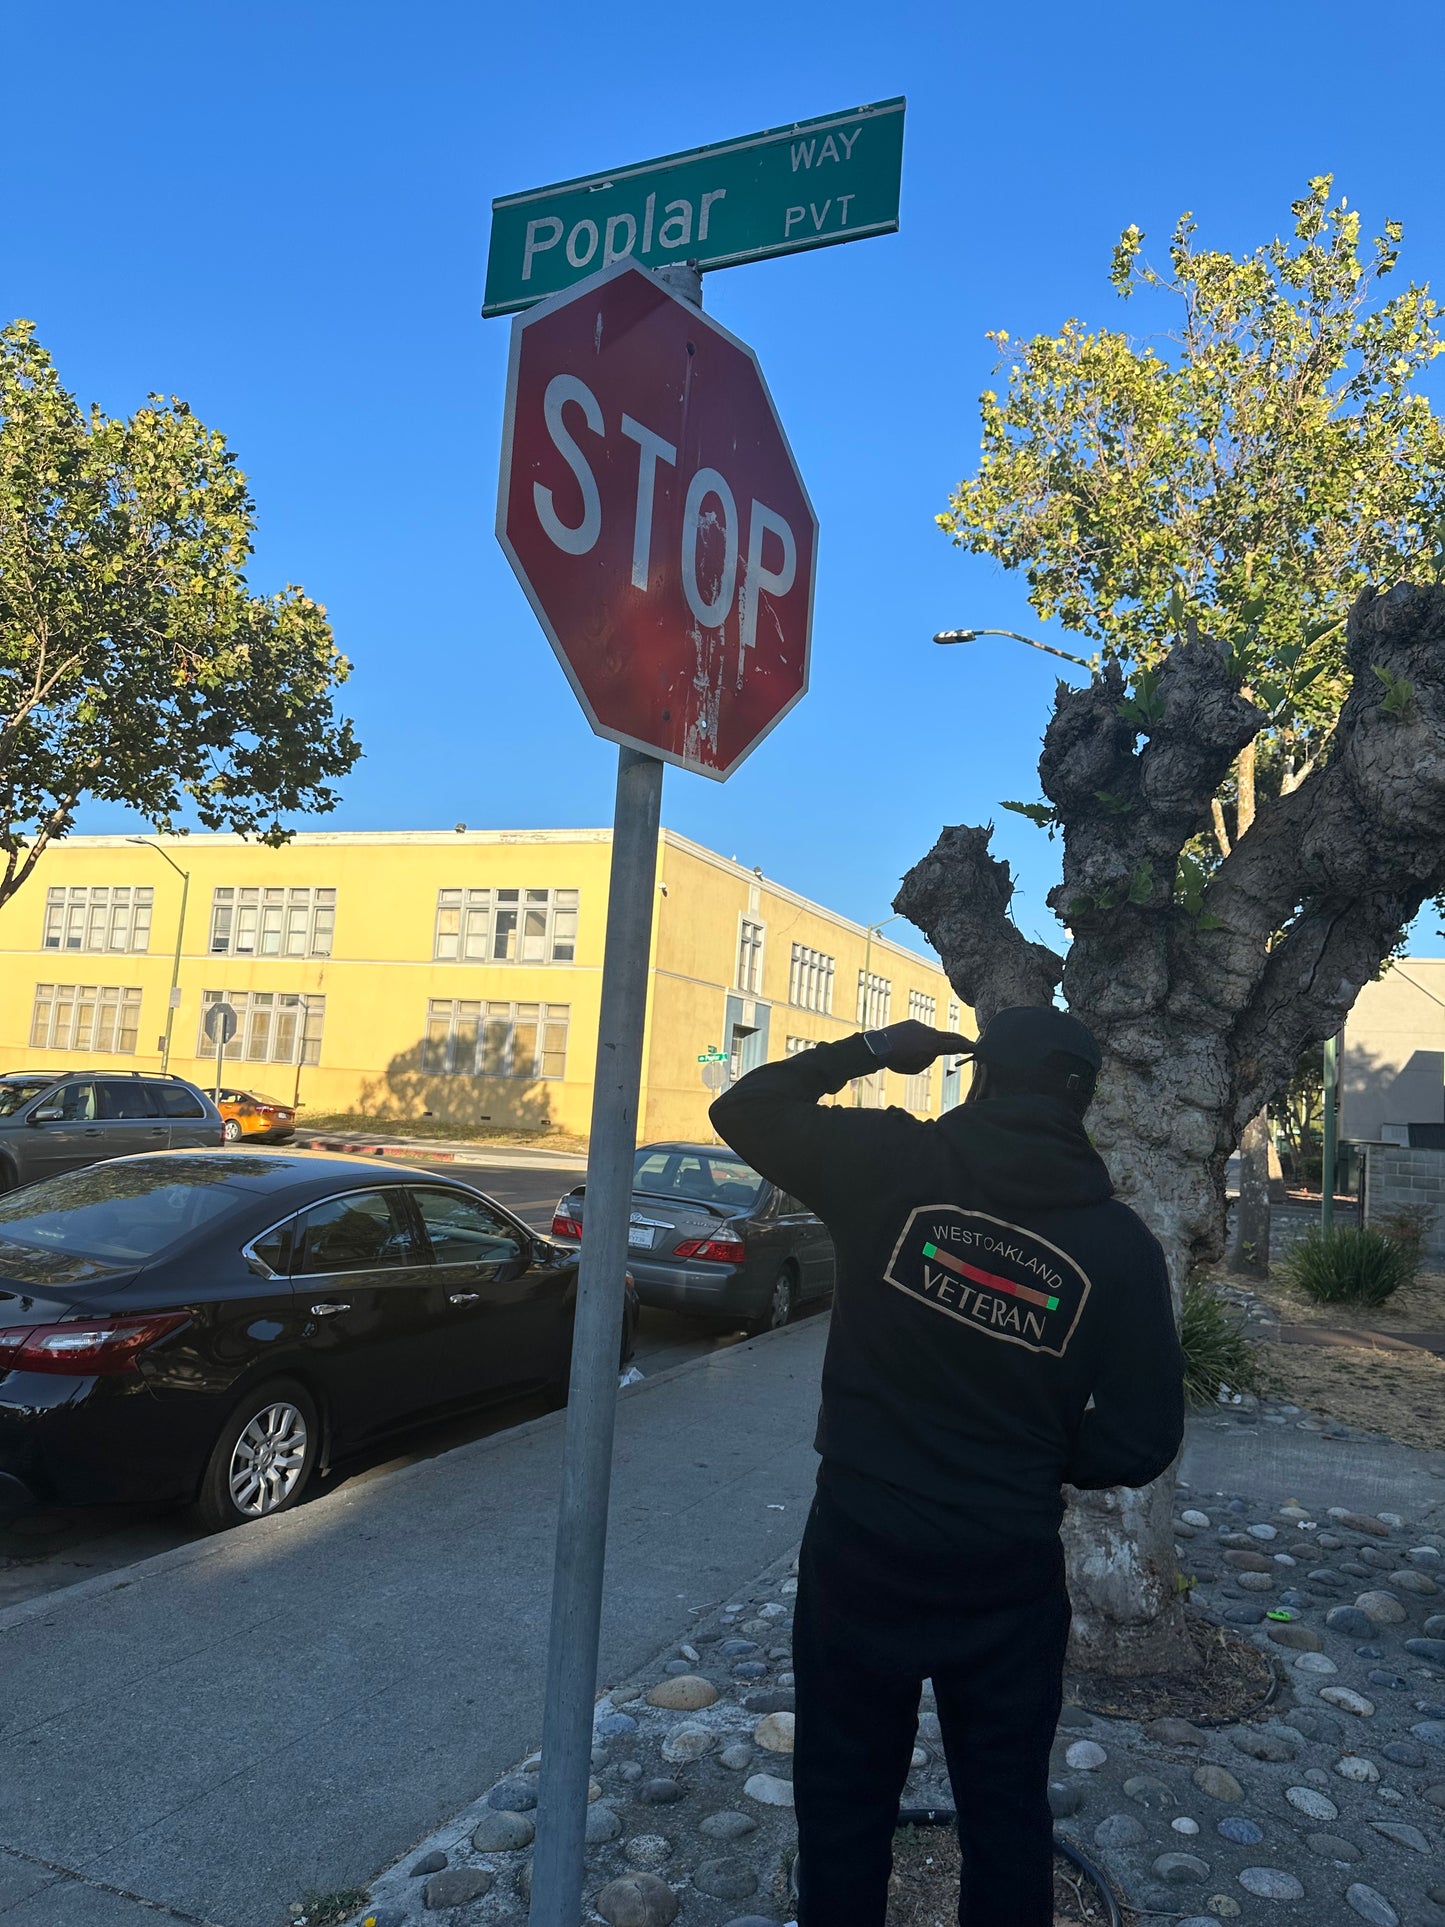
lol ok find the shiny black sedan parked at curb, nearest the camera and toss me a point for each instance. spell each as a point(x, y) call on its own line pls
point(203, 1331)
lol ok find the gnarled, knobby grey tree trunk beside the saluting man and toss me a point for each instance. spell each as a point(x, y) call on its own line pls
point(1201, 1018)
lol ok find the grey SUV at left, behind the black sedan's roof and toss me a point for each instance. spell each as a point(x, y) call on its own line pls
point(59, 1121)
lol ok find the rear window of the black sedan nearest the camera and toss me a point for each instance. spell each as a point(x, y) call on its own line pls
point(109, 1217)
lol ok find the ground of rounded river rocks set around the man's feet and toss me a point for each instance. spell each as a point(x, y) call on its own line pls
point(1327, 1808)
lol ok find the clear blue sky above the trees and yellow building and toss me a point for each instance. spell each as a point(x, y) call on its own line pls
point(280, 213)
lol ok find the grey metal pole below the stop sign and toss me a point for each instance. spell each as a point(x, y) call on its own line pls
point(596, 1346)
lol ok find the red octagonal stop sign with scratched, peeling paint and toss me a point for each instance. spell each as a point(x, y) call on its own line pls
point(656, 519)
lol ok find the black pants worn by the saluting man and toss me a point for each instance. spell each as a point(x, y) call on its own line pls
point(874, 1620)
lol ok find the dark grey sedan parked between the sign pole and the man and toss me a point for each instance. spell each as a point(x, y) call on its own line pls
point(712, 1236)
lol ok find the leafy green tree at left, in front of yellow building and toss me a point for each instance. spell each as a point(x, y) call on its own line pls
point(136, 666)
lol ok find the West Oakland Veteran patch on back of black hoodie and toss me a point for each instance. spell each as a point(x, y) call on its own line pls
point(991, 1275)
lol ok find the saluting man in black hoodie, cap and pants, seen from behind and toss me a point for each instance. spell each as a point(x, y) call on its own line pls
point(1001, 1329)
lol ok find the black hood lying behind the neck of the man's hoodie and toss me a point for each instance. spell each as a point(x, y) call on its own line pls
point(1028, 1153)
